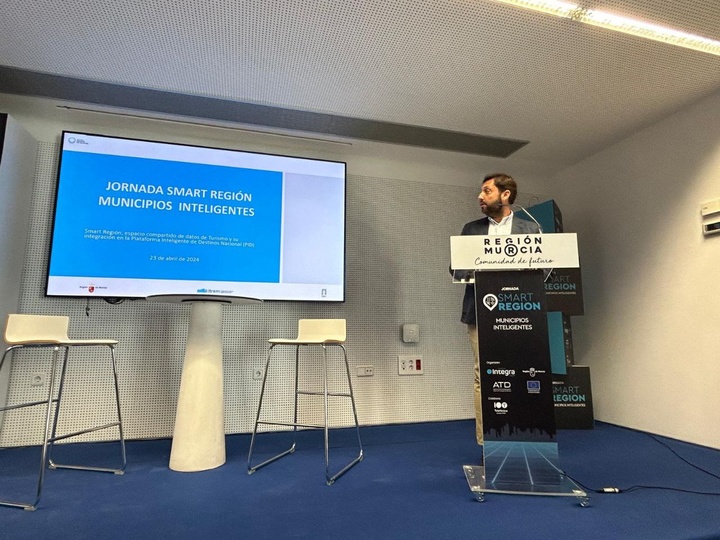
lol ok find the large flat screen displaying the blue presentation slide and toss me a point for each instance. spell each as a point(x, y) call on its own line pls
point(135, 218)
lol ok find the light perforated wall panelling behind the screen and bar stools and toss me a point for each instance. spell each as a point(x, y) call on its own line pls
point(397, 272)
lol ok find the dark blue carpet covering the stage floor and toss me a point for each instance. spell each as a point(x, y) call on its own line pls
point(410, 485)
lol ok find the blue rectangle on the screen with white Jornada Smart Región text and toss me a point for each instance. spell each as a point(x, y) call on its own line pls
point(128, 217)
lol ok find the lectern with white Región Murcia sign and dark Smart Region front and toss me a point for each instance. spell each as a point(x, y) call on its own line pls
point(520, 452)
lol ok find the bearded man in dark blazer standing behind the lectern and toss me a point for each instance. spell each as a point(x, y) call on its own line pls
point(497, 194)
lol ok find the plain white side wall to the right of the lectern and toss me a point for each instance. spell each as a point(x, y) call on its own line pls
point(651, 281)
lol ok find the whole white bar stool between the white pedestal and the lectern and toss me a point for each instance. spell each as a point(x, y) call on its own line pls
point(325, 333)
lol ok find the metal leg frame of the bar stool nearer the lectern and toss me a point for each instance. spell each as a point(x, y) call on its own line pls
point(326, 393)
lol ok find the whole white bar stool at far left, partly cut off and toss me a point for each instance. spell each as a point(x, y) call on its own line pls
point(51, 331)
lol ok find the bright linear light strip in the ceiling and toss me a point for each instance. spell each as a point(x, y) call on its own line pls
point(618, 23)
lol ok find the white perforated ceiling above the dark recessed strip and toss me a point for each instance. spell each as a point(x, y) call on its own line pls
point(470, 66)
